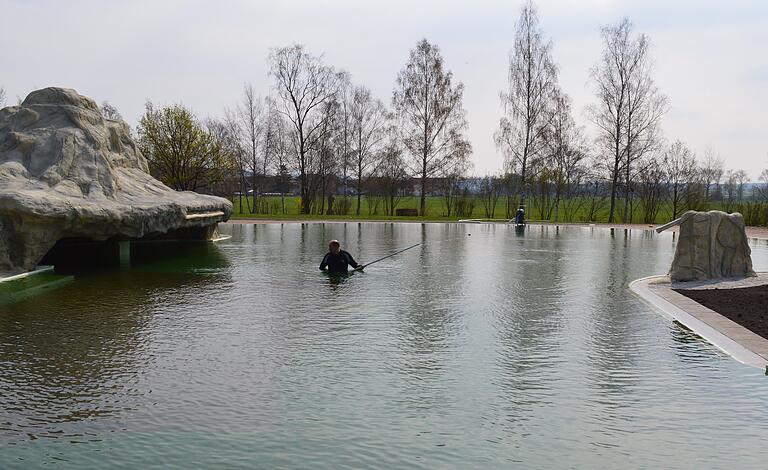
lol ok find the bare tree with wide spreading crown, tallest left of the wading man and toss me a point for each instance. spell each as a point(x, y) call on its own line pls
point(303, 83)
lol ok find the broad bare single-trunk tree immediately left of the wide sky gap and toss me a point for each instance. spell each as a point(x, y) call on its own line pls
point(430, 115)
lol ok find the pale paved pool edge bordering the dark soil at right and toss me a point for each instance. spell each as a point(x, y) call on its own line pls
point(728, 336)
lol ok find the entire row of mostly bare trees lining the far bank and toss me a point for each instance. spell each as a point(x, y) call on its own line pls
point(333, 137)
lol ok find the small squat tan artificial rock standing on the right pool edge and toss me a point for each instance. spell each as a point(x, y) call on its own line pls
point(712, 245)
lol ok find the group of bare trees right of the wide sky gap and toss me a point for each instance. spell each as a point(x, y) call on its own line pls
point(629, 164)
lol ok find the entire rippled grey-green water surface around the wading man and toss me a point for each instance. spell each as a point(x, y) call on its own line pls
point(469, 351)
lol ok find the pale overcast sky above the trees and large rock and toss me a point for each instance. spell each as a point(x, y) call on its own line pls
point(711, 57)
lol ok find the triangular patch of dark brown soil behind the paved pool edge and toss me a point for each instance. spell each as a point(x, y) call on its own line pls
point(747, 306)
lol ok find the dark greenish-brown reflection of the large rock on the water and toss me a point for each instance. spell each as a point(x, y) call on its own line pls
point(77, 353)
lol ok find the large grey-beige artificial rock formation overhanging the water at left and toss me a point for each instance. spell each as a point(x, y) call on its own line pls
point(67, 172)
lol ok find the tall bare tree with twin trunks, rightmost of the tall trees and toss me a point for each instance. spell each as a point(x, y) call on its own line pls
point(629, 107)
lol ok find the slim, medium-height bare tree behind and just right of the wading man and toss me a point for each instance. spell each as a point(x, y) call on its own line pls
point(369, 119)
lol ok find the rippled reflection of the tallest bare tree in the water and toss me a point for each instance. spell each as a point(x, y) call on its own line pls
point(528, 305)
